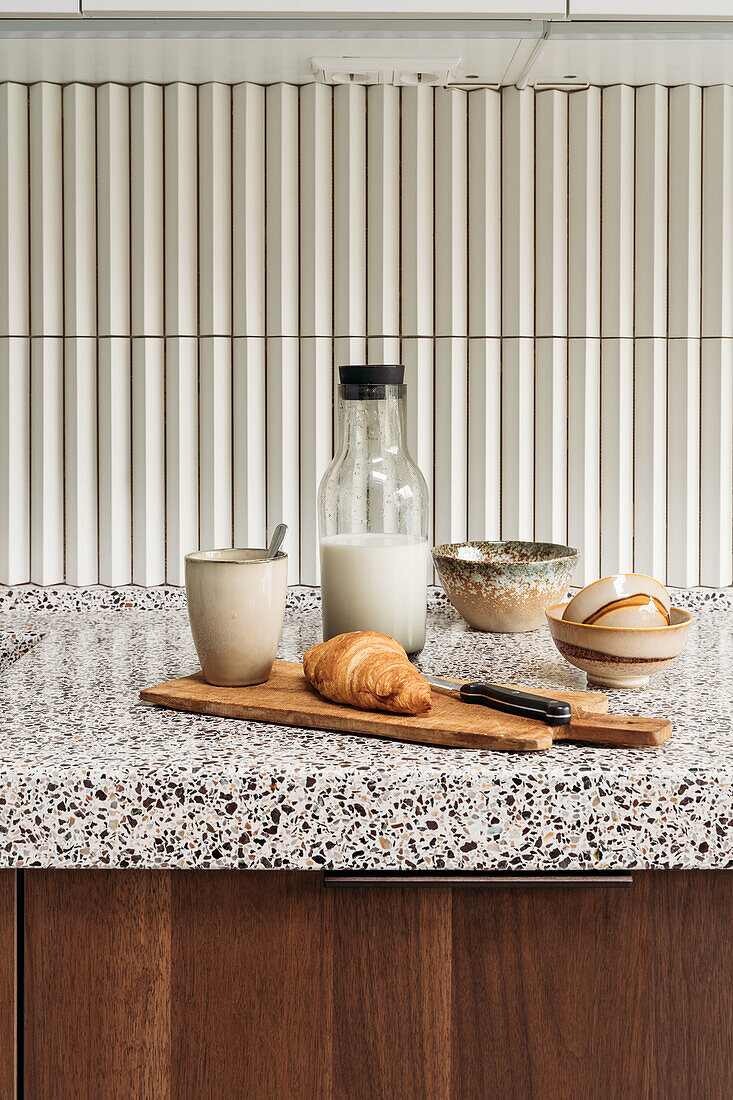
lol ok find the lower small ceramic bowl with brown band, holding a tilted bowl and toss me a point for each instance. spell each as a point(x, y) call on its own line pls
point(619, 657)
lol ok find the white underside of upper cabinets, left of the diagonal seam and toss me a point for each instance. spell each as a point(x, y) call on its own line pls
point(171, 50)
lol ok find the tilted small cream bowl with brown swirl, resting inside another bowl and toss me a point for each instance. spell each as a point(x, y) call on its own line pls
point(629, 600)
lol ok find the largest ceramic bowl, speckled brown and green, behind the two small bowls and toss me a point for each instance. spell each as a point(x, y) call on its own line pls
point(505, 587)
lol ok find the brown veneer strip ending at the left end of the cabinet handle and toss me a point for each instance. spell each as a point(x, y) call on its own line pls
point(250, 964)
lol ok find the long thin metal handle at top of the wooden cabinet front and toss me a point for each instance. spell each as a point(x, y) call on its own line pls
point(476, 881)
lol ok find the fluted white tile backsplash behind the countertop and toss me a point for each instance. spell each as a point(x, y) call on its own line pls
point(183, 269)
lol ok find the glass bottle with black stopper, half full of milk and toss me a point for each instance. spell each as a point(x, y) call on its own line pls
point(374, 515)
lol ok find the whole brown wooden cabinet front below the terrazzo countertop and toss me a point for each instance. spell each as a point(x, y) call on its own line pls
point(268, 985)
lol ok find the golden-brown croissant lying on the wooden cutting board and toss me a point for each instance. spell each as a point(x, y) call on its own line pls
point(368, 670)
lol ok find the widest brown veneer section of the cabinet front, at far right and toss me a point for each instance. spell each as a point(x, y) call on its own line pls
point(570, 1016)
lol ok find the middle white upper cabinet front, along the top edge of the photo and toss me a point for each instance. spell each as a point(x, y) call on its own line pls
point(491, 9)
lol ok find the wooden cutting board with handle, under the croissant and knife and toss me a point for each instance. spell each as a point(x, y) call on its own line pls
point(289, 700)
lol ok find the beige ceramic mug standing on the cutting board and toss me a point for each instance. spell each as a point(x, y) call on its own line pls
point(236, 610)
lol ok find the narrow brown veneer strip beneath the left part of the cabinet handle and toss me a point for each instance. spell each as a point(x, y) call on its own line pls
point(391, 994)
